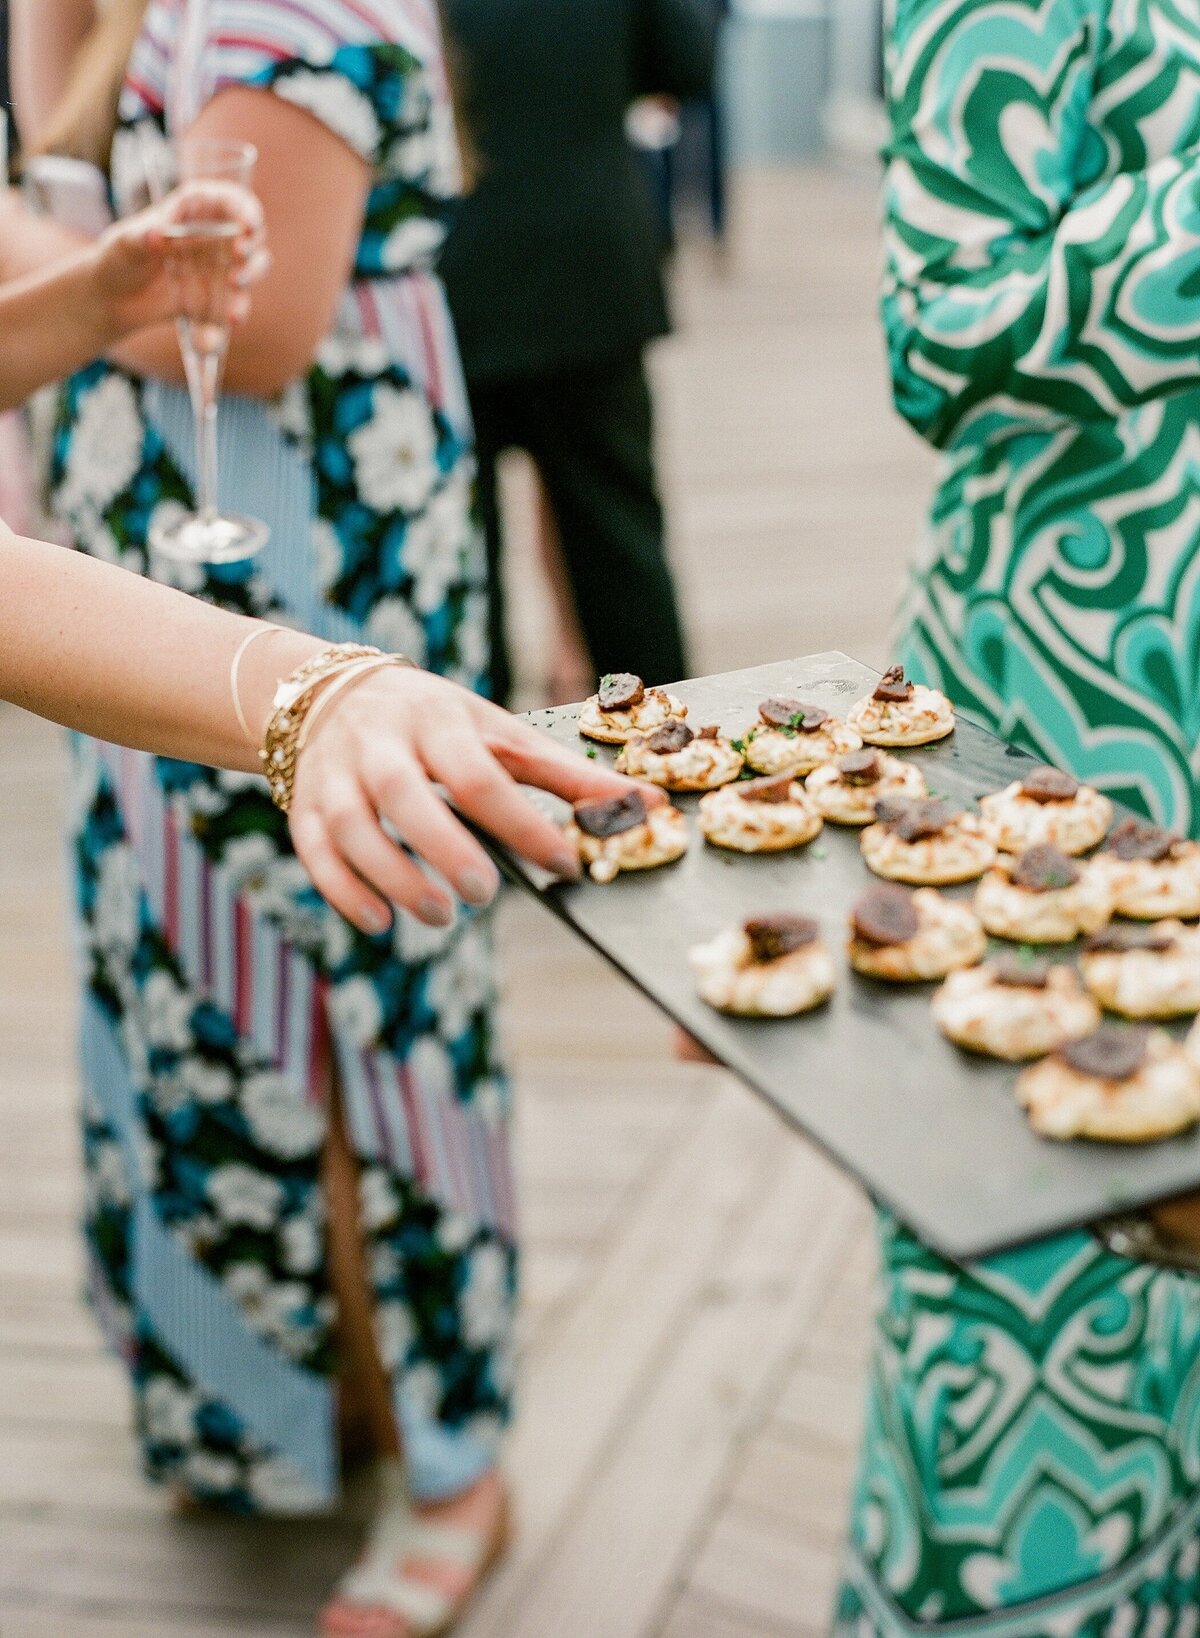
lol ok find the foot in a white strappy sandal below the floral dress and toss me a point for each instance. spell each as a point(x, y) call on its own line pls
point(423, 1563)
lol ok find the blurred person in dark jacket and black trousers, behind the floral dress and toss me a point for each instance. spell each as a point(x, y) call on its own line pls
point(554, 273)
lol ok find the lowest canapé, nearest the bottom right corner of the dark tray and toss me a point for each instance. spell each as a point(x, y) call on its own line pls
point(1121, 1085)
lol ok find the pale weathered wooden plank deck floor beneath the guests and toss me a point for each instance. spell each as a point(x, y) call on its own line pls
point(697, 1283)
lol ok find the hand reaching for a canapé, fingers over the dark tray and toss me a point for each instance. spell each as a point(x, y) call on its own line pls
point(381, 753)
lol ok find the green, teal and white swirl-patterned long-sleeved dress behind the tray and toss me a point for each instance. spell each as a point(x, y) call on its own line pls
point(1032, 1460)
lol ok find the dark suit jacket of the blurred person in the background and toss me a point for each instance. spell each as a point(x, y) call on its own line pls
point(556, 260)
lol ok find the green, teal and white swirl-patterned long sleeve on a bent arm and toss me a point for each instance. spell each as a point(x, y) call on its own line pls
point(1021, 281)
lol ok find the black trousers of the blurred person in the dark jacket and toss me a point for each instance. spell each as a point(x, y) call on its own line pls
point(590, 433)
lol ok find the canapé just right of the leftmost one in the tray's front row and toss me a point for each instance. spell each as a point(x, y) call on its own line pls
point(909, 938)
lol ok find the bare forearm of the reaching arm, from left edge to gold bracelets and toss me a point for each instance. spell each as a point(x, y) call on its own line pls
point(115, 656)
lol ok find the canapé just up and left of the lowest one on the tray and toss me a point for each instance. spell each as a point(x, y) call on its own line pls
point(1014, 1010)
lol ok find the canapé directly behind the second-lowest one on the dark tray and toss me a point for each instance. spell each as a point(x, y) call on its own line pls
point(1044, 897)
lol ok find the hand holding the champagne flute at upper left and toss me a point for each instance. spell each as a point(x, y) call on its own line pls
point(137, 266)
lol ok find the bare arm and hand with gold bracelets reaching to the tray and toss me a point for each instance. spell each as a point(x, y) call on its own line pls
point(125, 659)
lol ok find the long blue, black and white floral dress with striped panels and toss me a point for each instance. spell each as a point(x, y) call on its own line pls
point(220, 993)
